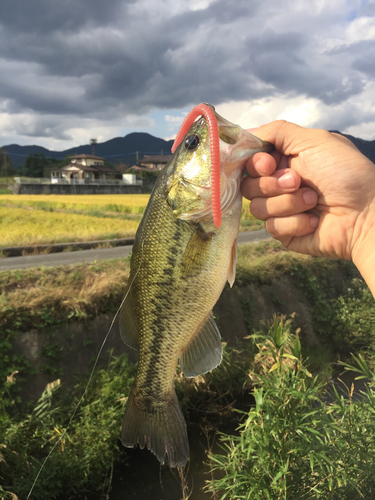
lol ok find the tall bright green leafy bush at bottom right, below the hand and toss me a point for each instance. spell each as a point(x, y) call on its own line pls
point(294, 444)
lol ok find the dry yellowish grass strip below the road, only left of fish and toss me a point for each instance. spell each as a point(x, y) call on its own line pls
point(79, 290)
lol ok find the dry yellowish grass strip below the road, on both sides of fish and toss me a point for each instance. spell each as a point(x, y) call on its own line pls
point(83, 287)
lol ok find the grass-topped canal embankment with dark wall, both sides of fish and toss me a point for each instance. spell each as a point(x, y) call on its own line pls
point(45, 312)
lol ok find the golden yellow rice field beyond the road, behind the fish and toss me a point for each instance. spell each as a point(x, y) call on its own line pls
point(46, 219)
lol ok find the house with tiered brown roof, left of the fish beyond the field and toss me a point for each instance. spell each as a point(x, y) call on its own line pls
point(84, 169)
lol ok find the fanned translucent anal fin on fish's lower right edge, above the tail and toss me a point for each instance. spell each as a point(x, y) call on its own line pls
point(204, 351)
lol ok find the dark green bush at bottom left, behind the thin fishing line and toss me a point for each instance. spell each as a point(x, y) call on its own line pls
point(64, 455)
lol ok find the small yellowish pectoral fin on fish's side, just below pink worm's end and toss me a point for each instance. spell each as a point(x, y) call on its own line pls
point(196, 252)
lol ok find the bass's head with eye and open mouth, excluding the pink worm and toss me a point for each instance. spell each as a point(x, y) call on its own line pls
point(188, 184)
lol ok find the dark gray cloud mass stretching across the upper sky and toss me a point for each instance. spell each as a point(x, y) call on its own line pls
point(105, 60)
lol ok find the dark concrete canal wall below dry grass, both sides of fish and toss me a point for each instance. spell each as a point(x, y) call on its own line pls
point(80, 342)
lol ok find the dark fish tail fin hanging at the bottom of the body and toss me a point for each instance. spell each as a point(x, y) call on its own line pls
point(162, 430)
